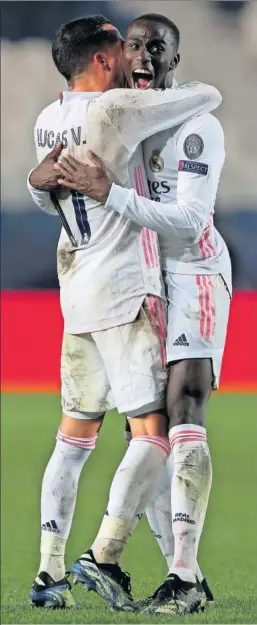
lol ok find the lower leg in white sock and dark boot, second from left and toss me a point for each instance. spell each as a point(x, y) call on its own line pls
point(132, 487)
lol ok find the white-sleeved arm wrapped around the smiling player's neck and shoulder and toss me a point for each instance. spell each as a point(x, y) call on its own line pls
point(136, 115)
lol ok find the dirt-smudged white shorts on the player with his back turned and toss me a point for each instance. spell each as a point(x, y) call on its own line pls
point(122, 367)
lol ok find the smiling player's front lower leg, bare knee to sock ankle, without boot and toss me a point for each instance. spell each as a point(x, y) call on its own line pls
point(188, 391)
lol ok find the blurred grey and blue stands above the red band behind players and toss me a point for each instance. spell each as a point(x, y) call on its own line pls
point(218, 46)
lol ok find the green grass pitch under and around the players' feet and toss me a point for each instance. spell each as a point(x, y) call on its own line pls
point(228, 553)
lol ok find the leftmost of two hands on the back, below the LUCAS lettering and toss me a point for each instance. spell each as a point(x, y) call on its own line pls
point(44, 177)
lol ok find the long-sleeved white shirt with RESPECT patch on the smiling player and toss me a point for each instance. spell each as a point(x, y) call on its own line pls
point(183, 192)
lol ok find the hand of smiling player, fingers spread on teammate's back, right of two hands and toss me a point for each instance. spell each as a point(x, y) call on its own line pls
point(90, 181)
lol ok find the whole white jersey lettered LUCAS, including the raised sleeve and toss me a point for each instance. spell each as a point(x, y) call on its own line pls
point(115, 263)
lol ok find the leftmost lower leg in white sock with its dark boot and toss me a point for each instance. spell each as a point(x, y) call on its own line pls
point(58, 498)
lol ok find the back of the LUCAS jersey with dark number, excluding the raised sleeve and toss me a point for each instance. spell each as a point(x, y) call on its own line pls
point(105, 278)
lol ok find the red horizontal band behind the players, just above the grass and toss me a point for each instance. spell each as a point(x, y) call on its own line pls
point(31, 335)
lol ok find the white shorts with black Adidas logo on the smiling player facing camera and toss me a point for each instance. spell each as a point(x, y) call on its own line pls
point(198, 311)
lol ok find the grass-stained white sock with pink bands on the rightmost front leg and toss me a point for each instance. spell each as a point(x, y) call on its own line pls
point(191, 484)
